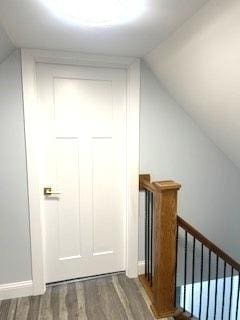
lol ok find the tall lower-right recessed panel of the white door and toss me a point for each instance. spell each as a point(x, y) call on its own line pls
point(103, 198)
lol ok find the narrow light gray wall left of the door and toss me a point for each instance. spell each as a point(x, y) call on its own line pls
point(15, 262)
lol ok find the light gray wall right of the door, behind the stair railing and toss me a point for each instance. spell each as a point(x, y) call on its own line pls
point(173, 147)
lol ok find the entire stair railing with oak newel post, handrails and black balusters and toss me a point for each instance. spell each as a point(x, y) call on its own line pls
point(186, 275)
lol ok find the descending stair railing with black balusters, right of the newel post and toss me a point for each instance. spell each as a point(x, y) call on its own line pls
point(209, 278)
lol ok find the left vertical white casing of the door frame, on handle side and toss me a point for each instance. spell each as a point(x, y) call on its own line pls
point(34, 196)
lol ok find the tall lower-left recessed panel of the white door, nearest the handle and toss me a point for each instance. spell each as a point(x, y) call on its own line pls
point(67, 166)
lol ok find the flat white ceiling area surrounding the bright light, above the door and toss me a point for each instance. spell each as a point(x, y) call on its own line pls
point(31, 25)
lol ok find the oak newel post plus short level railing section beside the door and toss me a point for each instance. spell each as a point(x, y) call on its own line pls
point(160, 244)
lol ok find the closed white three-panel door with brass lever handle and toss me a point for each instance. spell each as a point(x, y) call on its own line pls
point(82, 112)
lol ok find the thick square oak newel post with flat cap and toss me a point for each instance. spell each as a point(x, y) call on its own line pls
point(165, 228)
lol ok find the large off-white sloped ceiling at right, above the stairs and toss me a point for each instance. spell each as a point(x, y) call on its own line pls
point(199, 65)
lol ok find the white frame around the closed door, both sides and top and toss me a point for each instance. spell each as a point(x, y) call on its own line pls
point(132, 65)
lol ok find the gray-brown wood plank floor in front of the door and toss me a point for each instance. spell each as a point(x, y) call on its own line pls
point(107, 298)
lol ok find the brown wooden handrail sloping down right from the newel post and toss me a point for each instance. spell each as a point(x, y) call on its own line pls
point(207, 243)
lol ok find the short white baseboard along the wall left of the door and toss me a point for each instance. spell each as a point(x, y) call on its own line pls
point(16, 290)
